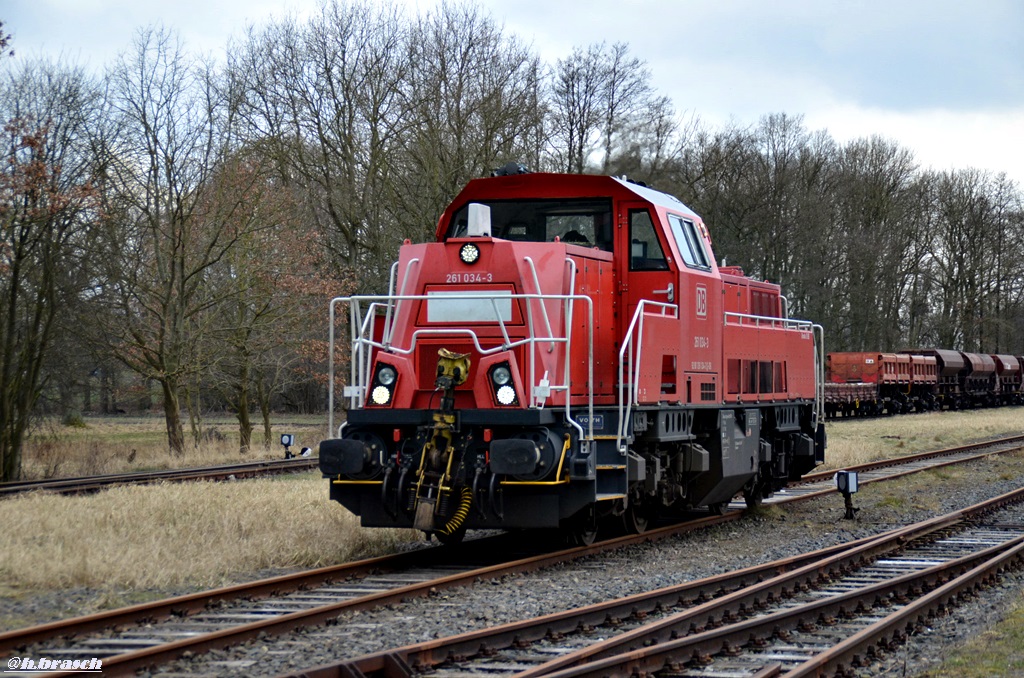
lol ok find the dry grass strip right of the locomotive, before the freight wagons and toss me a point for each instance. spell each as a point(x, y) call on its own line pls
point(862, 441)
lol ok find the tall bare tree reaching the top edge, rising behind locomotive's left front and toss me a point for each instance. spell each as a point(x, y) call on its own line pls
point(328, 97)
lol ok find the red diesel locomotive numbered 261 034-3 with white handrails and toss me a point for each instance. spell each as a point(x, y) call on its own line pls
point(568, 353)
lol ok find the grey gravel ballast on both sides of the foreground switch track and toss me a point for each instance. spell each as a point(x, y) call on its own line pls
point(771, 535)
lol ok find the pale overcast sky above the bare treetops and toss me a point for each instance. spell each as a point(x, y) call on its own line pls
point(945, 78)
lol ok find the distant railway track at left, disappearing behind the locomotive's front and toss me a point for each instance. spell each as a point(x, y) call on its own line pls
point(91, 484)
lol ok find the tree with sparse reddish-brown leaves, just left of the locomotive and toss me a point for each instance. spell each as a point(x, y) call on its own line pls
point(267, 287)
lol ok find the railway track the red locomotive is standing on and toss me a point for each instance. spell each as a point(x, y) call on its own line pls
point(226, 617)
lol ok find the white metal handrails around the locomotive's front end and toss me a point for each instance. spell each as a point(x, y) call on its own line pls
point(363, 345)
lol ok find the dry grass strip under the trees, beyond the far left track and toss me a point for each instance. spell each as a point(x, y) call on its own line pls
point(117, 445)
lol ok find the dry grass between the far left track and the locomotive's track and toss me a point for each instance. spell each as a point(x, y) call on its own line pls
point(180, 534)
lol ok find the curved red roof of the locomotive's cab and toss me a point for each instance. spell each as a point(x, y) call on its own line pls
point(541, 186)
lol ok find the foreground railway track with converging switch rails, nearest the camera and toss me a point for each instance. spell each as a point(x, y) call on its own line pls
point(817, 614)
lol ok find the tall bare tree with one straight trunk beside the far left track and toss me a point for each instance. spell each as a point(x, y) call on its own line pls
point(162, 241)
